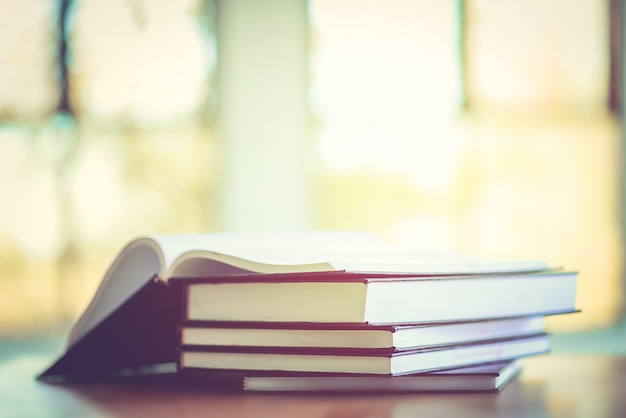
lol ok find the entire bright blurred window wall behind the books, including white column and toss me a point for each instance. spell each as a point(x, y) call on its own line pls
point(491, 127)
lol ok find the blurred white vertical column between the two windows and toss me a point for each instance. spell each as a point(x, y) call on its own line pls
point(263, 52)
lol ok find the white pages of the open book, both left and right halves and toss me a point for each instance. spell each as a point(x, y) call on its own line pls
point(221, 254)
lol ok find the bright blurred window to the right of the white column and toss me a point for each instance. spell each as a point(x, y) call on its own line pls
point(482, 126)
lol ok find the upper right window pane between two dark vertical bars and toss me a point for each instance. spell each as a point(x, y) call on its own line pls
point(538, 56)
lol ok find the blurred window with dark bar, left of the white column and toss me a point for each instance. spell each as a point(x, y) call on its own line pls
point(106, 139)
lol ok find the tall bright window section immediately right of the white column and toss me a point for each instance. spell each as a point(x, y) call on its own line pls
point(386, 86)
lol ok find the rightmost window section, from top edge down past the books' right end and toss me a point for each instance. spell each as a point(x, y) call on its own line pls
point(538, 78)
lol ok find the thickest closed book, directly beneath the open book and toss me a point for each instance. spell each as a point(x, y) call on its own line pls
point(377, 298)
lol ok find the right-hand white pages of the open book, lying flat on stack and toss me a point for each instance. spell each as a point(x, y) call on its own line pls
point(291, 252)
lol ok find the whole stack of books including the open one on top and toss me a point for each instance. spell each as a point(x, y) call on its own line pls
point(320, 311)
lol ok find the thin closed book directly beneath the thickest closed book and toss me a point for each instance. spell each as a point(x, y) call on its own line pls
point(399, 337)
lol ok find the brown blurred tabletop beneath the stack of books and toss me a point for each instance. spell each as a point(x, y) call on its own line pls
point(554, 385)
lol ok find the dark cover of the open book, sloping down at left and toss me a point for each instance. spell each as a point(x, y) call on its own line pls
point(142, 332)
